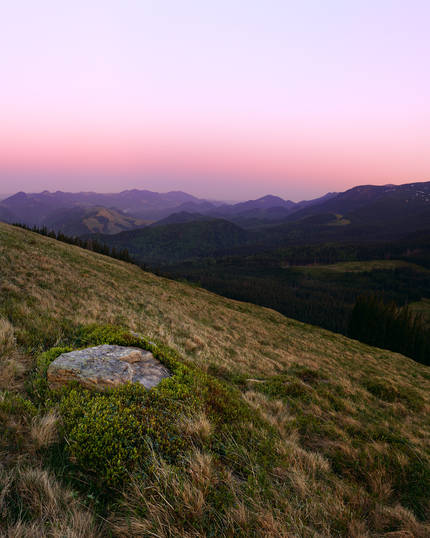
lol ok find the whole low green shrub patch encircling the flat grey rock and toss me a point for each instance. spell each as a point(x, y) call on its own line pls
point(111, 434)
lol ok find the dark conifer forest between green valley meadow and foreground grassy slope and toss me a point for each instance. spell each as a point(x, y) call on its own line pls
point(321, 297)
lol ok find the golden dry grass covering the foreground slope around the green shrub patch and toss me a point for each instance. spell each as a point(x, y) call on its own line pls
point(48, 288)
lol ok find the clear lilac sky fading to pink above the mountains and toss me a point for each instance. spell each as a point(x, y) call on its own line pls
point(226, 99)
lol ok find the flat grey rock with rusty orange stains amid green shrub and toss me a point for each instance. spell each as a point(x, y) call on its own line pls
point(107, 366)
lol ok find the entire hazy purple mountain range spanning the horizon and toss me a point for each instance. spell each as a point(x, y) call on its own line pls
point(363, 211)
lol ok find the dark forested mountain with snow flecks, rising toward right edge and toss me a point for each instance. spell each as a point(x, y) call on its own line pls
point(361, 214)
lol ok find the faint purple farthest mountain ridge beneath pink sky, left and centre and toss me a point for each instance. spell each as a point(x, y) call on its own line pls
point(44, 208)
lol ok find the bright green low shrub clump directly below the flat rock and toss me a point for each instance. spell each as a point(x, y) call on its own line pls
point(111, 434)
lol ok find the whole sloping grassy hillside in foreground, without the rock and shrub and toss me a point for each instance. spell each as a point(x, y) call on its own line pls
point(303, 432)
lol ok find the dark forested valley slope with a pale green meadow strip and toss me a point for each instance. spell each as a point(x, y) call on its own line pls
point(306, 284)
